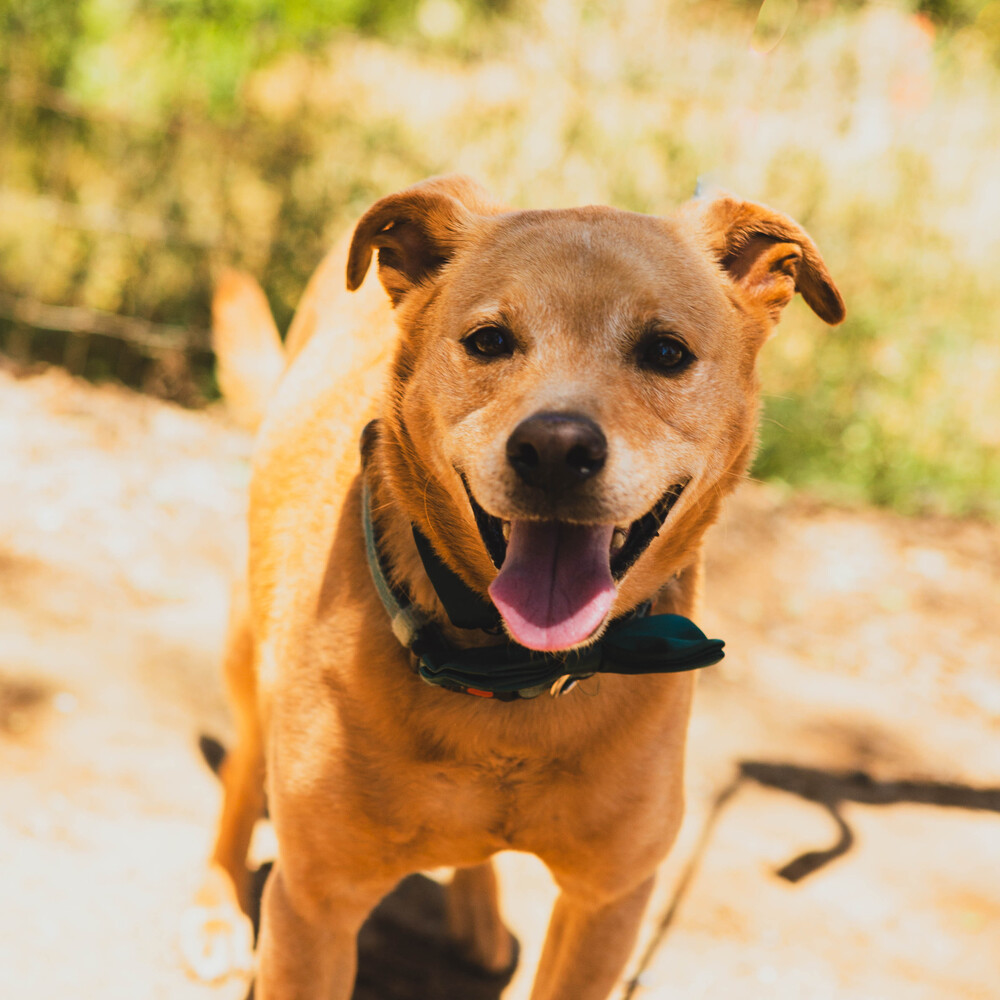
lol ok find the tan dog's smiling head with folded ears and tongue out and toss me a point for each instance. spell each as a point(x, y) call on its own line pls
point(574, 390)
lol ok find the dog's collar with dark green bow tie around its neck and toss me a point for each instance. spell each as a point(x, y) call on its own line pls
point(638, 643)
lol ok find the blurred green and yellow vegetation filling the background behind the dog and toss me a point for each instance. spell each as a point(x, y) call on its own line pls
point(144, 144)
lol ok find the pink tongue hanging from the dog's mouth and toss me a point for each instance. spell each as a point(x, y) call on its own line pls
point(555, 585)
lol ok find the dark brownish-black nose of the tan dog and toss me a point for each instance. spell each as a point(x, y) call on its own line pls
point(555, 451)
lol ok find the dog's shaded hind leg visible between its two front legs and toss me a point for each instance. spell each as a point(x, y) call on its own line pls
point(474, 920)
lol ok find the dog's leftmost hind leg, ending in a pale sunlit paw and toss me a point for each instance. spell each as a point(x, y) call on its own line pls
point(216, 934)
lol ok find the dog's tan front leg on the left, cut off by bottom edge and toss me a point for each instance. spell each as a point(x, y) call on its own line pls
point(308, 939)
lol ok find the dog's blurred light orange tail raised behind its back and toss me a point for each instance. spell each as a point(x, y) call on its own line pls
point(249, 358)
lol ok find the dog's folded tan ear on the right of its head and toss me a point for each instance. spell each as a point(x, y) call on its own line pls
point(769, 257)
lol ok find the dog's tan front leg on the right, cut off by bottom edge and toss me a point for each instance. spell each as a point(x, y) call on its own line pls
point(588, 944)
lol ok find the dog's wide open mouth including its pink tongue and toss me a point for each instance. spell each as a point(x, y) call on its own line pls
point(557, 580)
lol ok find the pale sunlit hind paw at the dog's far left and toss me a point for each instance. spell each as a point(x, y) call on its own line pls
point(216, 936)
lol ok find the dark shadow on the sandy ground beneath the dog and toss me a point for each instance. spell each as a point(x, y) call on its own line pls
point(404, 949)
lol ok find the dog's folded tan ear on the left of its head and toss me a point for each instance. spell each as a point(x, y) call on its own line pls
point(416, 231)
